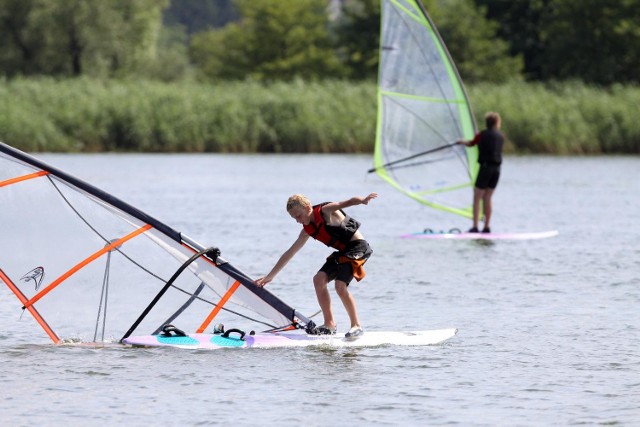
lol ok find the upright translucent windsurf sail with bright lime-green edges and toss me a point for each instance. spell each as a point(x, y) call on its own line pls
point(423, 110)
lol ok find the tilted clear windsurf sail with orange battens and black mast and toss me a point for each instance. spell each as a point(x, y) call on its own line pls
point(92, 268)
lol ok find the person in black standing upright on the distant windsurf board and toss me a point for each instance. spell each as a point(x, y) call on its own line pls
point(490, 142)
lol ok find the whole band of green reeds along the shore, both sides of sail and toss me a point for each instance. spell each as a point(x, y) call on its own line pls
point(331, 116)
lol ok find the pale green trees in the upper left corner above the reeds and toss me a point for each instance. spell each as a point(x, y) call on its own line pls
point(76, 37)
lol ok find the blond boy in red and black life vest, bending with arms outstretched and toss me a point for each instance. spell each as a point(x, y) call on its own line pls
point(328, 223)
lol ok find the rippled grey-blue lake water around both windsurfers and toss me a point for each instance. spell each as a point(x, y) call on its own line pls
point(549, 329)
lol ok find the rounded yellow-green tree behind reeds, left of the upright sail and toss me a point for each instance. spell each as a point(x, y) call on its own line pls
point(274, 40)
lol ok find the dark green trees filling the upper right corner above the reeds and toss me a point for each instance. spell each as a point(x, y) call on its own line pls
point(596, 41)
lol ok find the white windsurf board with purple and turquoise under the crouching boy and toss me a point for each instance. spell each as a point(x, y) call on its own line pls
point(293, 339)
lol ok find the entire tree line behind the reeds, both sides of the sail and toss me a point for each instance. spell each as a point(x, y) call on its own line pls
point(596, 41)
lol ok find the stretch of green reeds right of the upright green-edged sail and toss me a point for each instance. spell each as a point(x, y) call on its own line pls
point(563, 118)
